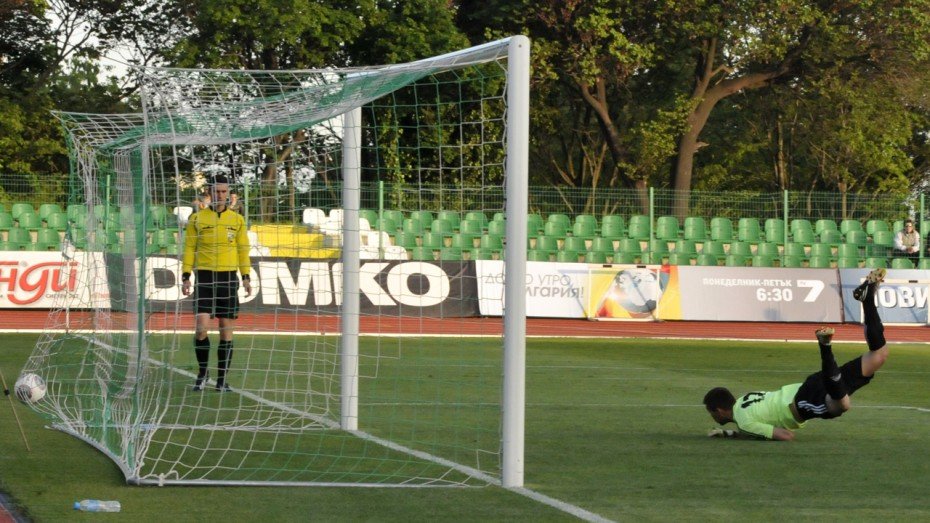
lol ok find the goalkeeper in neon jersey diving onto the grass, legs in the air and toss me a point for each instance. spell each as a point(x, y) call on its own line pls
point(825, 394)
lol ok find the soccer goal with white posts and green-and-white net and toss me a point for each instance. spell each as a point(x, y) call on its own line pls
point(371, 195)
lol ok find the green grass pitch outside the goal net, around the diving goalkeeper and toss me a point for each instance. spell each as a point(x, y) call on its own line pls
point(614, 427)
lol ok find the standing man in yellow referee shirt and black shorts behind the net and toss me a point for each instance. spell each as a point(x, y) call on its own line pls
point(215, 247)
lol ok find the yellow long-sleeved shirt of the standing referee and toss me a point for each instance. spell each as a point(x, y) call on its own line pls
point(216, 242)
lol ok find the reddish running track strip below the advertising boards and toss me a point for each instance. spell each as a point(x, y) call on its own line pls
point(37, 320)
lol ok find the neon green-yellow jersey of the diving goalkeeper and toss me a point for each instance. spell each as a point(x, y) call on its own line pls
point(758, 413)
